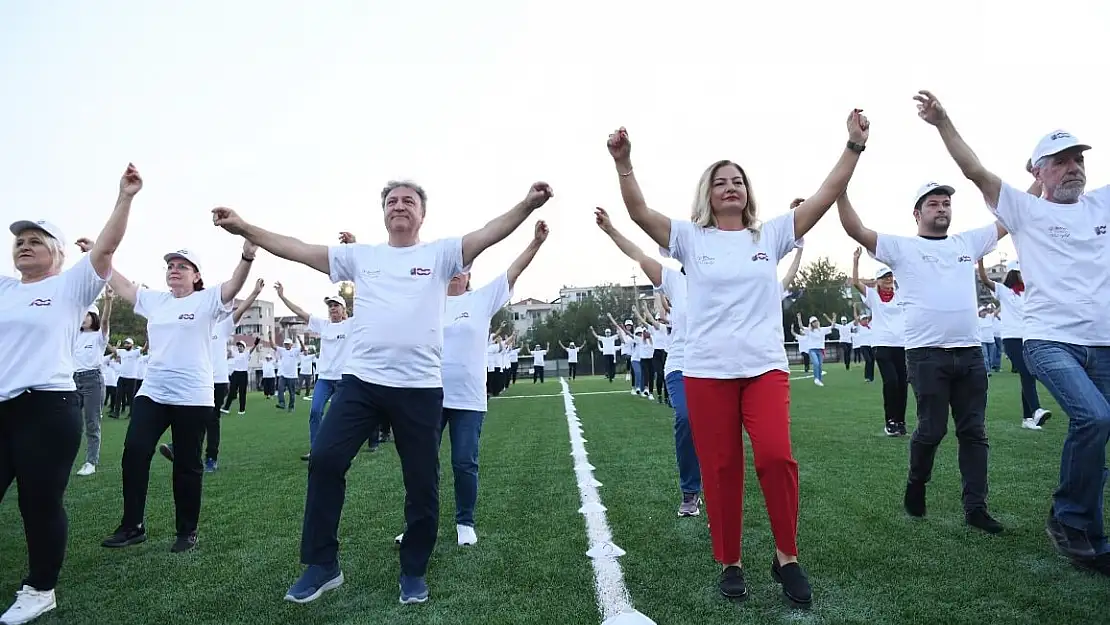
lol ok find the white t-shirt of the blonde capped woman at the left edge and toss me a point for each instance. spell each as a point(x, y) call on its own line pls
point(39, 324)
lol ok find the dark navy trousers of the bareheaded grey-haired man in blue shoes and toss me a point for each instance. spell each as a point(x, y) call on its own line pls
point(357, 411)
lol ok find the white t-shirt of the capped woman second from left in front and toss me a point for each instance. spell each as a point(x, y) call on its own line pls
point(180, 336)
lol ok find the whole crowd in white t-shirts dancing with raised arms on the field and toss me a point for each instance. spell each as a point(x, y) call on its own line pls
point(420, 357)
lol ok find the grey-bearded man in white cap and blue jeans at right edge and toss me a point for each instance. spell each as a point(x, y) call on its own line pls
point(1062, 237)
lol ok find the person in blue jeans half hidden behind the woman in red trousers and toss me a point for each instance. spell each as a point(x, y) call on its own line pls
point(673, 285)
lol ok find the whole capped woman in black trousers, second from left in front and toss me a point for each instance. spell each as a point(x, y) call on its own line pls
point(177, 394)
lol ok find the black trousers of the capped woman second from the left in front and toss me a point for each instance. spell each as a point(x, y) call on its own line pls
point(188, 426)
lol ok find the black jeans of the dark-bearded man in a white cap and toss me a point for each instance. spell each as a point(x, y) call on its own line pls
point(957, 379)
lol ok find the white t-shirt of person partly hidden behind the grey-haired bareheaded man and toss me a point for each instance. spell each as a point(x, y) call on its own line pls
point(466, 336)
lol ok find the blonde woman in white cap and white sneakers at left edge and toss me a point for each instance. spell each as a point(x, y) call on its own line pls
point(42, 314)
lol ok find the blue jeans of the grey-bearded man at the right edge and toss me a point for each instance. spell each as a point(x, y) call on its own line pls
point(1079, 379)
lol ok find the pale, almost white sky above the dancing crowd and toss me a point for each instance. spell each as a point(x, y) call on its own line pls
point(297, 115)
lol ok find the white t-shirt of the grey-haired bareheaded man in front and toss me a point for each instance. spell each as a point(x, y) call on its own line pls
point(401, 296)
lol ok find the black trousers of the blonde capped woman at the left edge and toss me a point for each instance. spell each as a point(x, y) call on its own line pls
point(41, 434)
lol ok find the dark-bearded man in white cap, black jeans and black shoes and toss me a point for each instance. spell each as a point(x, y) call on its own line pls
point(944, 357)
